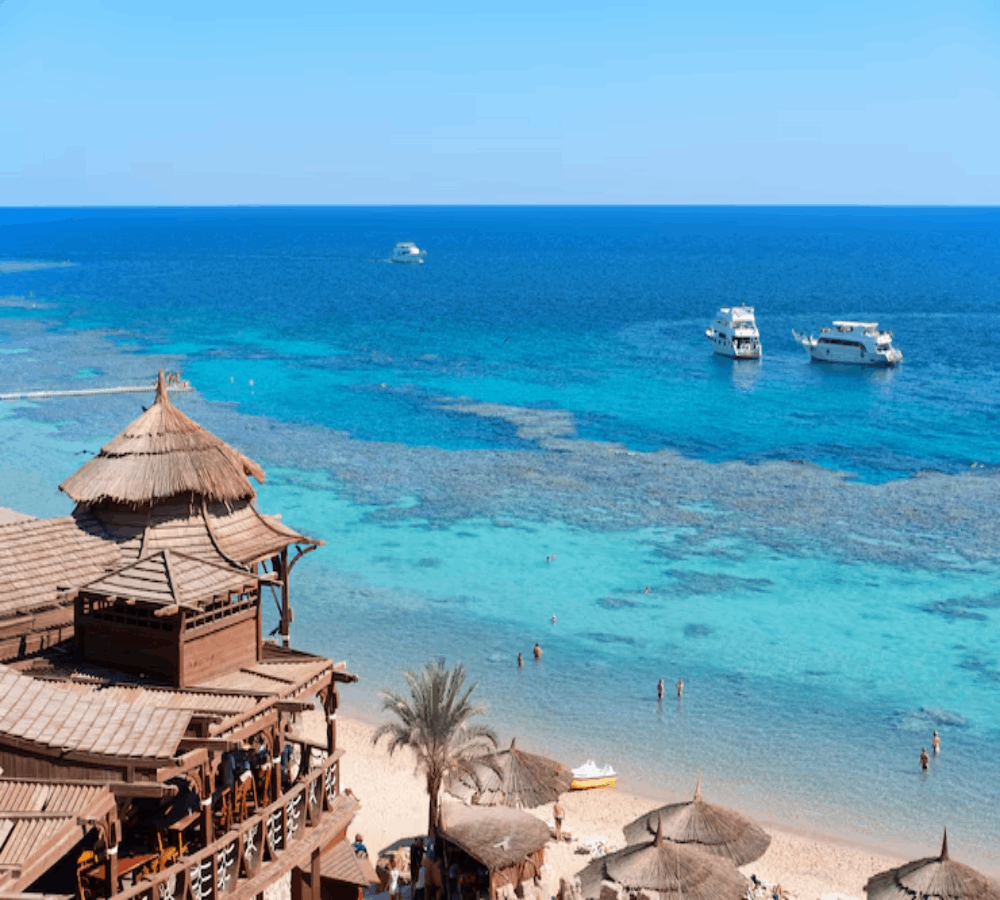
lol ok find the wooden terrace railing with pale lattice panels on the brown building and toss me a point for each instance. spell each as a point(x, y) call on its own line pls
point(243, 852)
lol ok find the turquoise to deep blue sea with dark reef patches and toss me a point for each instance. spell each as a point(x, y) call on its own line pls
point(513, 441)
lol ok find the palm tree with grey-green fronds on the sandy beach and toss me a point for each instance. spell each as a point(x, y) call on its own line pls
point(434, 722)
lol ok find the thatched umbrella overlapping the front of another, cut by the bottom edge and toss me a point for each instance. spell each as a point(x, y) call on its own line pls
point(673, 871)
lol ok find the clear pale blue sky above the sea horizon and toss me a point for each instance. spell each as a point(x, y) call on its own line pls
point(218, 102)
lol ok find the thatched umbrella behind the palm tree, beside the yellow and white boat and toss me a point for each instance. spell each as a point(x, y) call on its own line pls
point(513, 778)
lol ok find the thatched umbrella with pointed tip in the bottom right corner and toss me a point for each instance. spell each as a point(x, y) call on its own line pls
point(933, 878)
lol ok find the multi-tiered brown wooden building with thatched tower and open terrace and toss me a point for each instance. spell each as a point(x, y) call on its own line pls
point(154, 746)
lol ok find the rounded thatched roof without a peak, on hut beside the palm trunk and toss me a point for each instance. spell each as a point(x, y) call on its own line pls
point(495, 836)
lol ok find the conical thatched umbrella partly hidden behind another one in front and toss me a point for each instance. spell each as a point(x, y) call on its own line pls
point(716, 829)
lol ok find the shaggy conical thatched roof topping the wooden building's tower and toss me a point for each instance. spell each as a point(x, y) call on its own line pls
point(163, 454)
